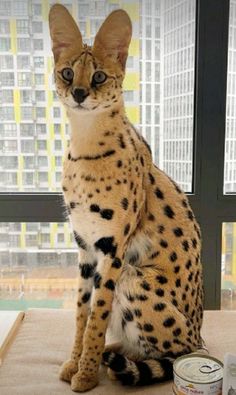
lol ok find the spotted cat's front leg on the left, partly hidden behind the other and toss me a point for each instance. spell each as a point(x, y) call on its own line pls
point(87, 265)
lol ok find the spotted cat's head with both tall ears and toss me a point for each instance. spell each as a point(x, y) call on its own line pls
point(89, 78)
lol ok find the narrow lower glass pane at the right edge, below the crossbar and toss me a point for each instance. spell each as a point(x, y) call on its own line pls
point(228, 280)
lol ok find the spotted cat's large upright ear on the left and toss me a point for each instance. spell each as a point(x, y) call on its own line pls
point(64, 32)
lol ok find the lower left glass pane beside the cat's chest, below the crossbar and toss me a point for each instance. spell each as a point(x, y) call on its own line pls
point(38, 266)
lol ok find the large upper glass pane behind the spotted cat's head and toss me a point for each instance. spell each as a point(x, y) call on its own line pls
point(162, 49)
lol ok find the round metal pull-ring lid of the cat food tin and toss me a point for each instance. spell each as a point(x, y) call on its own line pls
point(198, 368)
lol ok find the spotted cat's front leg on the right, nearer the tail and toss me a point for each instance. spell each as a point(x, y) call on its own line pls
point(107, 273)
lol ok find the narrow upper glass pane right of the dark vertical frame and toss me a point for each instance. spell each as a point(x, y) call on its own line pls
point(230, 138)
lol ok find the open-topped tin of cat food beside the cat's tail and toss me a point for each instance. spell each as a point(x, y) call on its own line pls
point(197, 374)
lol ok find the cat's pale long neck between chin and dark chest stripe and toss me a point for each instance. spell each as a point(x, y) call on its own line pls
point(89, 131)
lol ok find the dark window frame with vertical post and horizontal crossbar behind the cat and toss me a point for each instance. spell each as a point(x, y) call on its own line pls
point(210, 205)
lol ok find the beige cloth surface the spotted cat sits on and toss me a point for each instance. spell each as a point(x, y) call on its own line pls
point(44, 341)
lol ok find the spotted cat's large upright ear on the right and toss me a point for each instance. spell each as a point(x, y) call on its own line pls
point(113, 37)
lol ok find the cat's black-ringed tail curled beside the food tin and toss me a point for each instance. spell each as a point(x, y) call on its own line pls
point(138, 373)
